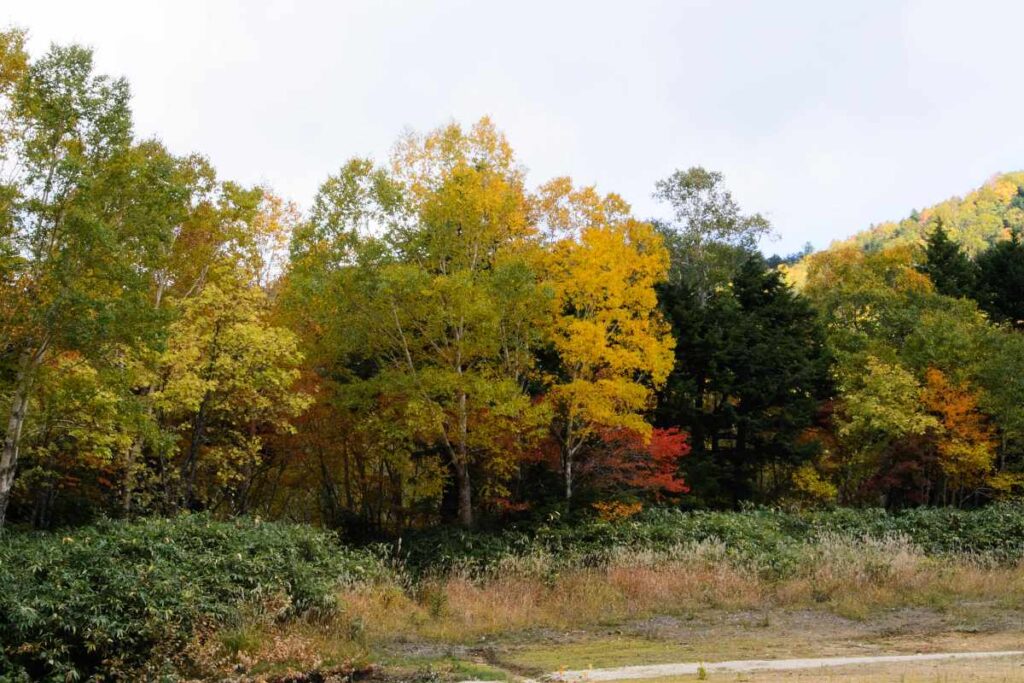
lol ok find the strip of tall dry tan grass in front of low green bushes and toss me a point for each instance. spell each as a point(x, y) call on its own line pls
point(851, 579)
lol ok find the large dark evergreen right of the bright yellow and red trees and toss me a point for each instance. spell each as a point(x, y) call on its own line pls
point(751, 374)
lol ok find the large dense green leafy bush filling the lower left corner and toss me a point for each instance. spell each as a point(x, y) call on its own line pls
point(112, 600)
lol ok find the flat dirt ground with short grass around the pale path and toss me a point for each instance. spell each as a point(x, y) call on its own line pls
point(782, 634)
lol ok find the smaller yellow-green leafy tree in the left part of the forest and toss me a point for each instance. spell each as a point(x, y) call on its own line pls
point(230, 379)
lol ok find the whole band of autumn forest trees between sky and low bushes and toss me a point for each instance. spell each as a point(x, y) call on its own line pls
point(438, 341)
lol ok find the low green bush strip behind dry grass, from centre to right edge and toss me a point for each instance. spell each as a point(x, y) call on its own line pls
point(770, 541)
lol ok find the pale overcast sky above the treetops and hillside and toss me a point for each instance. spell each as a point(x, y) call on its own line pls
point(826, 117)
